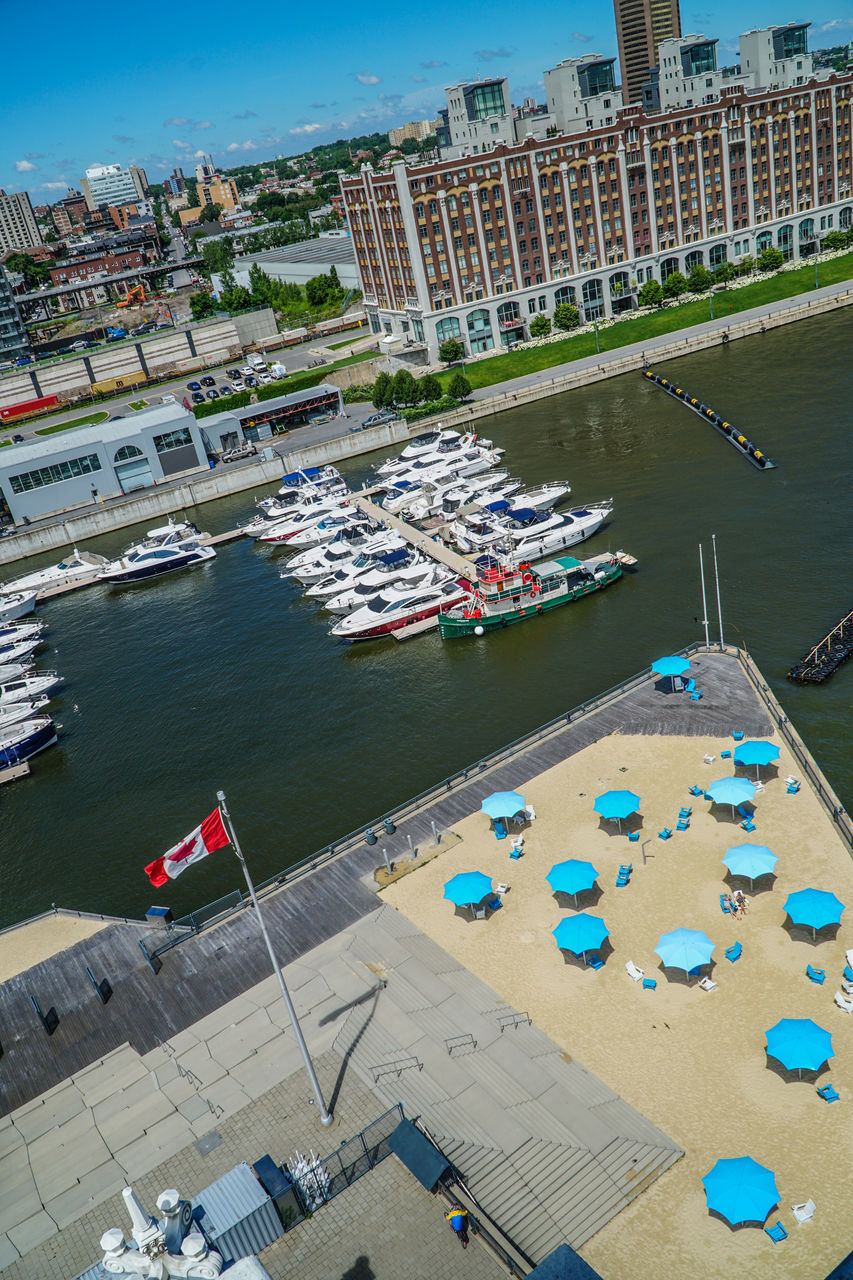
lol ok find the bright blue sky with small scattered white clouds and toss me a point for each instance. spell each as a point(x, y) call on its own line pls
point(162, 88)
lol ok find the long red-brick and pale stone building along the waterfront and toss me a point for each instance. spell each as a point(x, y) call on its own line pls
point(473, 248)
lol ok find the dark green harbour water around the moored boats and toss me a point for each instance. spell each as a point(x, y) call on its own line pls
point(226, 678)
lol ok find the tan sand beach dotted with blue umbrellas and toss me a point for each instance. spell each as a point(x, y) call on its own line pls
point(692, 1062)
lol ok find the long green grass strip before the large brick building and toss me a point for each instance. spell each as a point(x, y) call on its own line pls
point(654, 323)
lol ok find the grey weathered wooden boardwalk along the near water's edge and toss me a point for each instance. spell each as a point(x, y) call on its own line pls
point(206, 972)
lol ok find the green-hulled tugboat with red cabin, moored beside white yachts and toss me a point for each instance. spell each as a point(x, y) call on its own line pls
point(504, 595)
